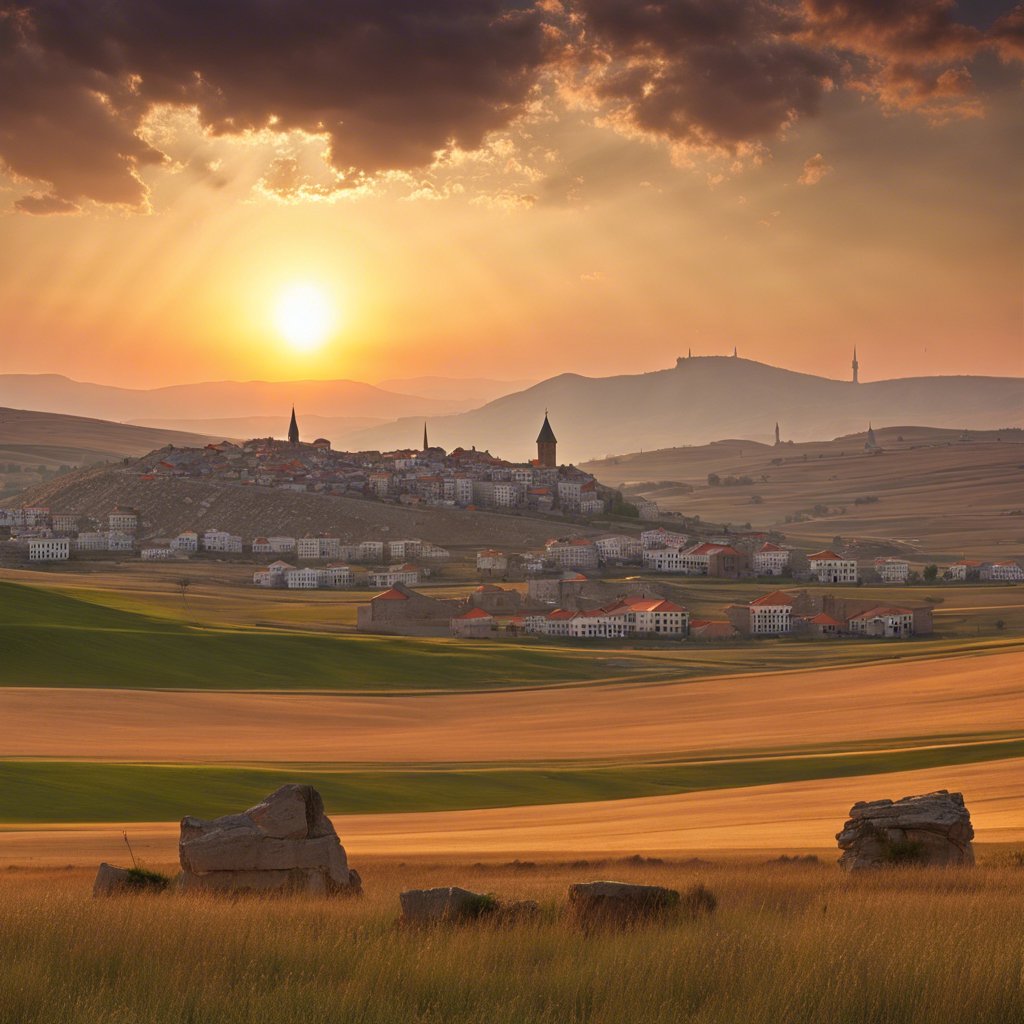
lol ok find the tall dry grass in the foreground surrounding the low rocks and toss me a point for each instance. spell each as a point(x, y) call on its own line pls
point(793, 944)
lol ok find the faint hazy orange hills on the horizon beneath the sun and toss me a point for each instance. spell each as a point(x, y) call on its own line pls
point(55, 394)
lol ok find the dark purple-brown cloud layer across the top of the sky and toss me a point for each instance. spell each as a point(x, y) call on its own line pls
point(391, 86)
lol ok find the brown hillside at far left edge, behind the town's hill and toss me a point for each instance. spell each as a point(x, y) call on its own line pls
point(33, 446)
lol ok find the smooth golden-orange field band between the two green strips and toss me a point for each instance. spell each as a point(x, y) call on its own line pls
point(945, 697)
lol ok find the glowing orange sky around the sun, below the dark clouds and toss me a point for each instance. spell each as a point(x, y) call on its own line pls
point(569, 240)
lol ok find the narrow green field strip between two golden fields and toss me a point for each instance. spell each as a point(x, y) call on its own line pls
point(47, 792)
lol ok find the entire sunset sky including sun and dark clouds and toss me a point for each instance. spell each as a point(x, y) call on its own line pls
point(488, 189)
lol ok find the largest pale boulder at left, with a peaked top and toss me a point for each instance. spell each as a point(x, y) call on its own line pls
point(286, 843)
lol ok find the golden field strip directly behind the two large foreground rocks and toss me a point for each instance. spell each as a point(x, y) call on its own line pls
point(786, 817)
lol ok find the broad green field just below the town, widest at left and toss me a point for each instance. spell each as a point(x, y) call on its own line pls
point(55, 638)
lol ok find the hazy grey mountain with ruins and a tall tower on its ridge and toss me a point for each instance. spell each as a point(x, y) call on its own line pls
point(706, 399)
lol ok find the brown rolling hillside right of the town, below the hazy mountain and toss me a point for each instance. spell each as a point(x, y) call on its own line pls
point(930, 492)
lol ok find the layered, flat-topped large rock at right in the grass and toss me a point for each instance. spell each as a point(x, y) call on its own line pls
point(930, 830)
